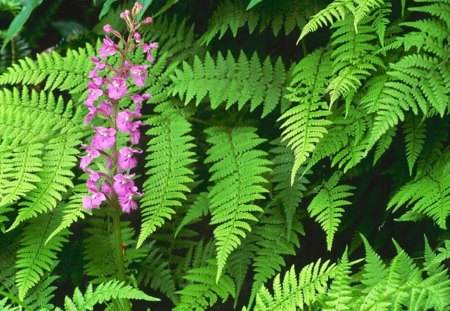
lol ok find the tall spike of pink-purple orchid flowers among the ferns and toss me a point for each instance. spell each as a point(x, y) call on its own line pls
point(107, 86)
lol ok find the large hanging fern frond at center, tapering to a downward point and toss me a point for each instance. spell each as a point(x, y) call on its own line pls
point(237, 172)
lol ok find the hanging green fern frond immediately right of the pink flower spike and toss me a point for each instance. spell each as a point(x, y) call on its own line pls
point(168, 159)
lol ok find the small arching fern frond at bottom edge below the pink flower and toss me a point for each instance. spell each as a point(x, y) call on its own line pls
point(102, 293)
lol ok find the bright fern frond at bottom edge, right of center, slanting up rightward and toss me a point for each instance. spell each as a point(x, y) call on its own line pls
point(296, 292)
